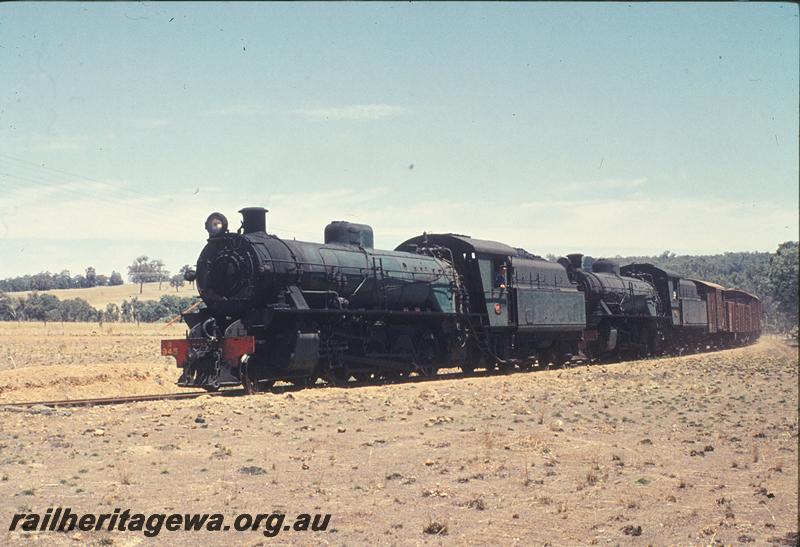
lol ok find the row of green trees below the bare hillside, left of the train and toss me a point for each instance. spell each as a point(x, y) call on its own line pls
point(47, 308)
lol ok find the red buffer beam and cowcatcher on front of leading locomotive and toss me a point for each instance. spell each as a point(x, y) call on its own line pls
point(208, 363)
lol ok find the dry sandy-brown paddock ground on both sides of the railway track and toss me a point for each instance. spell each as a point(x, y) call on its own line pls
point(696, 450)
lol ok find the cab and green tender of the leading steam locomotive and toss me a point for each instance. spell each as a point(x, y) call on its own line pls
point(523, 306)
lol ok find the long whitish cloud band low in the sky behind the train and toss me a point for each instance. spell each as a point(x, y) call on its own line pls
point(85, 210)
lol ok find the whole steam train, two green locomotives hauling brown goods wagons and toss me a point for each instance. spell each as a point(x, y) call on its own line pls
point(296, 311)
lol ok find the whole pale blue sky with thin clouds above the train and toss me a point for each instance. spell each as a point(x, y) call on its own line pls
point(600, 128)
